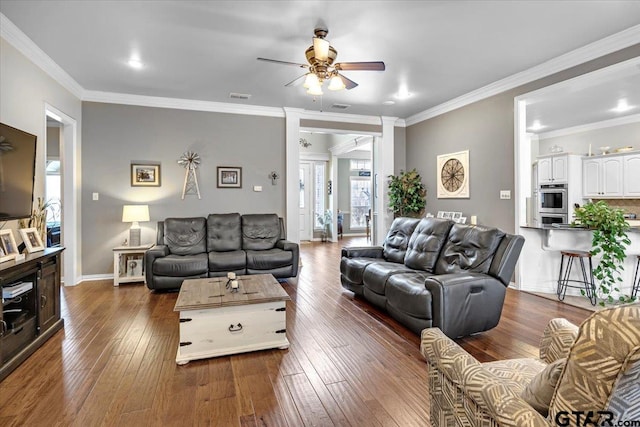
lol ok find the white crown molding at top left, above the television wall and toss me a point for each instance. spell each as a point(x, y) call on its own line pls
point(14, 36)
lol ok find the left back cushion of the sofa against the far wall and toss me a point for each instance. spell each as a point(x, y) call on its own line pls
point(185, 236)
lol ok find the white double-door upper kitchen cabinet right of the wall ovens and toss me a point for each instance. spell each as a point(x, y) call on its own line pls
point(602, 177)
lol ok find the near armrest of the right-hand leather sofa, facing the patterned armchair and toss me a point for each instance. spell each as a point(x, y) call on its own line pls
point(465, 303)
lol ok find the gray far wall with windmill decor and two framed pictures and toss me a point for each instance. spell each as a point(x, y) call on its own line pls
point(116, 135)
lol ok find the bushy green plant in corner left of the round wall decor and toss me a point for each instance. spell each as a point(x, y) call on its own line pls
point(407, 195)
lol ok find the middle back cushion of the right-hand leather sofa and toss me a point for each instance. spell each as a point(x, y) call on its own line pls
point(426, 243)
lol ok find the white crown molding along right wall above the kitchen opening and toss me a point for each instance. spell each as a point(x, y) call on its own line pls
point(576, 57)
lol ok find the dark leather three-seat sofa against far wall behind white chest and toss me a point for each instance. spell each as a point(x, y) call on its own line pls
point(189, 248)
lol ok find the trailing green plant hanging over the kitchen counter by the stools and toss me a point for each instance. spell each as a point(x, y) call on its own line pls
point(609, 241)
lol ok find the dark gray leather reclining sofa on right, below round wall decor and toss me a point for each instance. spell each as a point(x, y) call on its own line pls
point(434, 273)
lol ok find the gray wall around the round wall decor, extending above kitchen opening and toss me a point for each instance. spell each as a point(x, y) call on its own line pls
point(486, 129)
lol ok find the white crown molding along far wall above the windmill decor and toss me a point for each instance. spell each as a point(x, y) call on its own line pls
point(180, 104)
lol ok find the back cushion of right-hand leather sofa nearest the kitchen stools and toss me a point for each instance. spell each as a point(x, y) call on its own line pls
point(468, 248)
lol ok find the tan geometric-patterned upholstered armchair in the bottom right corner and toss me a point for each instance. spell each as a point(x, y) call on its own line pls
point(597, 364)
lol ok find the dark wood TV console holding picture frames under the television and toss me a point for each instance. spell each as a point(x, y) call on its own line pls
point(29, 319)
